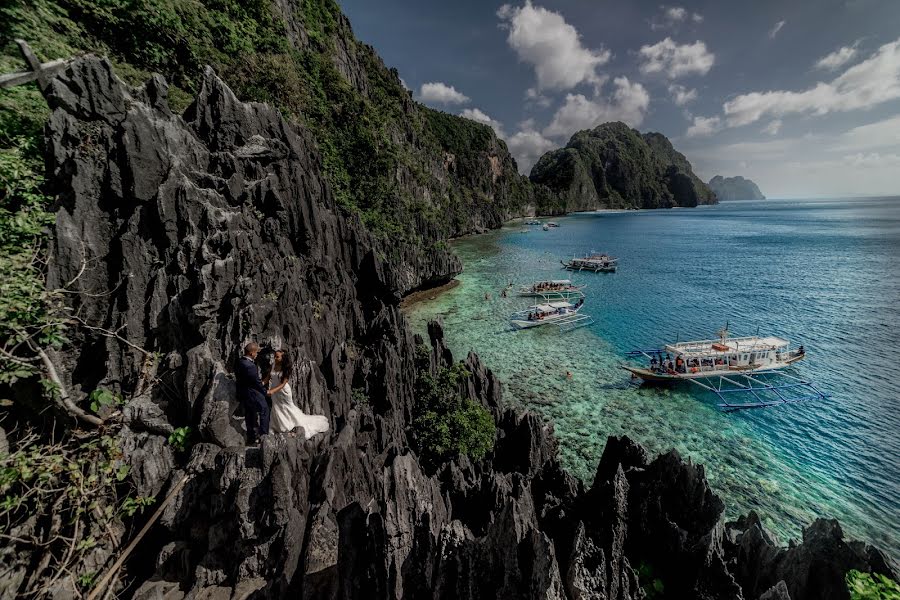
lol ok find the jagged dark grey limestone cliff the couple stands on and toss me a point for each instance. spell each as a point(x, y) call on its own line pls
point(195, 233)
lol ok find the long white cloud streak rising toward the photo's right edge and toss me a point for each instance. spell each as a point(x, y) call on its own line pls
point(867, 84)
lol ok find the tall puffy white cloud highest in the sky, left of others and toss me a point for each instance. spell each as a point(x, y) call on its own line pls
point(543, 39)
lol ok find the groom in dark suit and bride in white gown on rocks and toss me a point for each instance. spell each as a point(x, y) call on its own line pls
point(255, 395)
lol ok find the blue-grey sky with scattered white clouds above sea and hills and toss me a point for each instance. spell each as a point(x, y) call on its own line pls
point(802, 96)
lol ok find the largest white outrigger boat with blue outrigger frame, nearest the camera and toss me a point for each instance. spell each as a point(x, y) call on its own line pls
point(731, 368)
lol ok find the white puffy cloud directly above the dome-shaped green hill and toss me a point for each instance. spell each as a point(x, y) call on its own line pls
point(628, 103)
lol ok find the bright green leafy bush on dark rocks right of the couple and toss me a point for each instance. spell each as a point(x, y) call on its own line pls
point(445, 424)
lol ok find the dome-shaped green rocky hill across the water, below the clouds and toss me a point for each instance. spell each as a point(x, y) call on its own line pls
point(614, 166)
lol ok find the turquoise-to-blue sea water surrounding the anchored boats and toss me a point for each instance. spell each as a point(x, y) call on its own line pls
point(821, 273)
